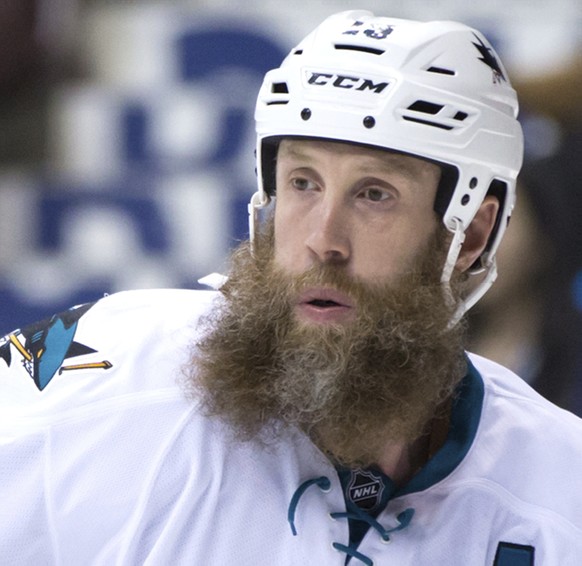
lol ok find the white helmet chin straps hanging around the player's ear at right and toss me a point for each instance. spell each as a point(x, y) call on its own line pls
point(451, 261)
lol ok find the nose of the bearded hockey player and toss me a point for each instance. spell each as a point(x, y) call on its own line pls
point(328, 240)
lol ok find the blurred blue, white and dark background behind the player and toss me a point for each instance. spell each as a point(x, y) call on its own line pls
point(126, 155)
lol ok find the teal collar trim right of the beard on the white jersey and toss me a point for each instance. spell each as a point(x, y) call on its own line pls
point(465, 418)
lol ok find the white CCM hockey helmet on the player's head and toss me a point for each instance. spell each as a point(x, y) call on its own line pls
point(435, 90)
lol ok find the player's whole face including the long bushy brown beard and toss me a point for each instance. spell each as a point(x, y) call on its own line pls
point(337, 323)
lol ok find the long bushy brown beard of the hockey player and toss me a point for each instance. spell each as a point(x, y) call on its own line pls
point(353, 388)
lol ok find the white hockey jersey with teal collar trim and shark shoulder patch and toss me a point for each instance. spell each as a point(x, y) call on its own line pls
point(105, 461)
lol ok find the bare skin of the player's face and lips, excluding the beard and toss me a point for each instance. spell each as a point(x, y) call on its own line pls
point(365, 210)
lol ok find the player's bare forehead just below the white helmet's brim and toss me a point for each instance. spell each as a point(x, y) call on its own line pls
point(367, 157)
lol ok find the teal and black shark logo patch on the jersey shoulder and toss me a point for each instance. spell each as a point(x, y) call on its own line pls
point(44, 347)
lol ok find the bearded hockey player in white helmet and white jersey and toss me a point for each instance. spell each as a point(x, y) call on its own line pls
point(320, 405)
